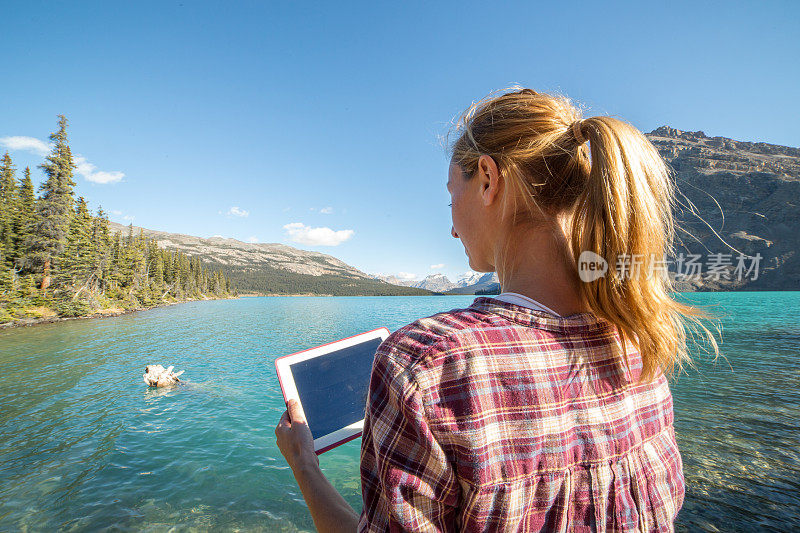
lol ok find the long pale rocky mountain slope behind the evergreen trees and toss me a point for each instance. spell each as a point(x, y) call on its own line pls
point(269, 268)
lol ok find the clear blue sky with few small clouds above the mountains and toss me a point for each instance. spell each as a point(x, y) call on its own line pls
point(307, 123)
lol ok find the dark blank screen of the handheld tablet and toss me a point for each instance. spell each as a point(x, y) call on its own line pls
point(334, 388)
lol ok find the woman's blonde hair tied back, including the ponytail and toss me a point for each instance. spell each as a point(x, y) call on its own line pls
point(618, 195)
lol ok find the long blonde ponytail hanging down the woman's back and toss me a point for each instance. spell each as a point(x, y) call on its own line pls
point(625, 216)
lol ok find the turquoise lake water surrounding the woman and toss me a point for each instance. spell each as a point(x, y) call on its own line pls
point(85, 445)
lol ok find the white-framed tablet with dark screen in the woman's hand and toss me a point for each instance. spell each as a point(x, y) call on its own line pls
point(331, 383)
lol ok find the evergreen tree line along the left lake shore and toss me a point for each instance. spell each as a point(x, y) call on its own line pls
point(55, 254)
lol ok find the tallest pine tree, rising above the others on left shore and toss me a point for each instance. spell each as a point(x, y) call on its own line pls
point(54, 208)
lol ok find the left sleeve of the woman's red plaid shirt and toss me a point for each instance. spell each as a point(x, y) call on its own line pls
point(407, 481)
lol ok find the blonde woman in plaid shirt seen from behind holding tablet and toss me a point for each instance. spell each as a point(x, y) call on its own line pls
point(547, 407)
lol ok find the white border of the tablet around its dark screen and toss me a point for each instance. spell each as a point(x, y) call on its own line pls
point(289, 389)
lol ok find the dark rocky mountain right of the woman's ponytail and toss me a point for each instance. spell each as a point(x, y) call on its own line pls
point(748, 195)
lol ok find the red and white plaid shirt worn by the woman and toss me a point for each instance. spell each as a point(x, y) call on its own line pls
point(502, 418)
